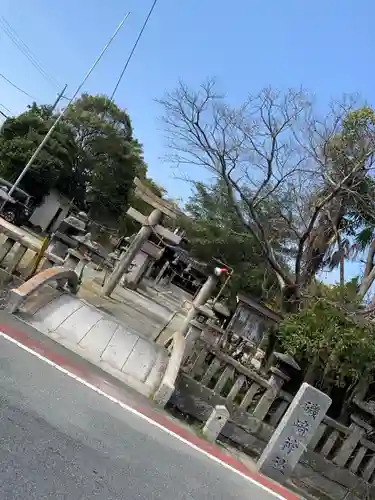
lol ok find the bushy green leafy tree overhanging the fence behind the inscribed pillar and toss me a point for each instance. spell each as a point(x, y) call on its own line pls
point(337, 344)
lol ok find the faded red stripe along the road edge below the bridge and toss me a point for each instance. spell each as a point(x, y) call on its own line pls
point(150, 413)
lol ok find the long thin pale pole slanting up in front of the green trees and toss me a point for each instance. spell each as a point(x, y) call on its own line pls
point(62, 113)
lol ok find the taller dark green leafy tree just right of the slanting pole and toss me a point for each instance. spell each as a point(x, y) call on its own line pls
point(108, 154)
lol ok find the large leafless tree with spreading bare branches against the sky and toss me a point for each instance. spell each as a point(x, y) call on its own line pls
point(287, 170)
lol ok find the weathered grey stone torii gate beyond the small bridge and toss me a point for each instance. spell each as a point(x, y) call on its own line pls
point(150, 224)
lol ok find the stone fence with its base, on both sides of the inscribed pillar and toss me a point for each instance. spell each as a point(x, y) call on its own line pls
point(339, 459)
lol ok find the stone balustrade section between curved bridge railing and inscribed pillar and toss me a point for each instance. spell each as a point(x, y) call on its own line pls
point(251, 399)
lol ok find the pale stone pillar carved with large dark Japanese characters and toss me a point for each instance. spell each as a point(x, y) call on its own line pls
point(294, 433)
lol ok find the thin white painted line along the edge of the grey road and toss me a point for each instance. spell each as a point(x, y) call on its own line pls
point(137, 413)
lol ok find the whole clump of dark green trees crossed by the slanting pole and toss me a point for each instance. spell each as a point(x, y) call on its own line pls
point(92, 156)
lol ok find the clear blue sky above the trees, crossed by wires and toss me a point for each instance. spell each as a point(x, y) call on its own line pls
point(325, 46)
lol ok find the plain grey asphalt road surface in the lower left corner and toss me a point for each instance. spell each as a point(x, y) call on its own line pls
point(61, 440)
